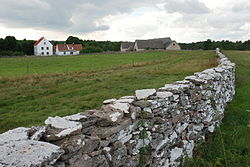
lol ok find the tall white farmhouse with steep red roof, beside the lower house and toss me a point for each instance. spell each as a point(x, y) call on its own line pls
point(43, 47)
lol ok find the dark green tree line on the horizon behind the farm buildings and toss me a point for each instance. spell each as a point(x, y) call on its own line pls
point(9, 46)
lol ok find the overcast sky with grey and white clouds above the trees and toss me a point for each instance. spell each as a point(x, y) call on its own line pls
point(126, 20)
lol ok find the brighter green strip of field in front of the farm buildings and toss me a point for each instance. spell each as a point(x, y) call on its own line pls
point(21, 66)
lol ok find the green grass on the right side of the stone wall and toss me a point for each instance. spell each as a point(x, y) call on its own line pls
point(229, 146)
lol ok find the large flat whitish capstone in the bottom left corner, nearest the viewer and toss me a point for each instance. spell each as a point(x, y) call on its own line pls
point(28, 153)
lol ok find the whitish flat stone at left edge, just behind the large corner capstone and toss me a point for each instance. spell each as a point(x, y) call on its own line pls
point(14, 135)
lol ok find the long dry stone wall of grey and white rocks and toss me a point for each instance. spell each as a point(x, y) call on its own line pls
point(153, 128)
